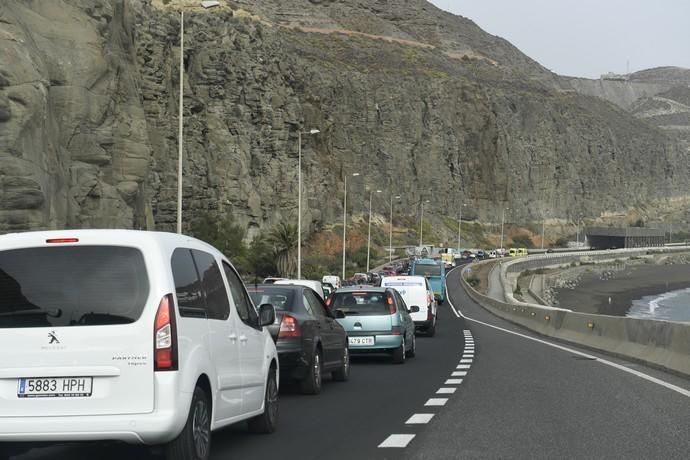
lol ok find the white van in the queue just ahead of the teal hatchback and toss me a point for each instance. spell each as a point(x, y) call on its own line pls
point(416, 291)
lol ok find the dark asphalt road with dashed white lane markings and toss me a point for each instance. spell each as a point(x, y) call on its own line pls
point(519, 399)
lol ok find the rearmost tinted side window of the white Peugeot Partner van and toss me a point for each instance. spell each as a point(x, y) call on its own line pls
point(190, 300)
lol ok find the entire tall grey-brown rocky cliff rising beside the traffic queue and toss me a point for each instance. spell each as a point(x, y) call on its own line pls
point(422, 103)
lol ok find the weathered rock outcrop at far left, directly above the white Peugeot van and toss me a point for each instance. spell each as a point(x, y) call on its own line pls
point(74, 144)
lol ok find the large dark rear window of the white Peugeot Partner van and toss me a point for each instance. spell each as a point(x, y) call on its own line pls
point(71, 286)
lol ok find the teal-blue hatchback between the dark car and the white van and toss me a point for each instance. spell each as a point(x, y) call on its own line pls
point(376, 321)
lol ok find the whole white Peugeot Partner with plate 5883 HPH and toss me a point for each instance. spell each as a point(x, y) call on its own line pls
point(141, 337)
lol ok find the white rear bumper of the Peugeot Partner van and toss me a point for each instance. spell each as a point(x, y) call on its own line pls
point(158, 427)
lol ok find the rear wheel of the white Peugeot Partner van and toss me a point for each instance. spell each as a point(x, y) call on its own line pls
point(194, 442)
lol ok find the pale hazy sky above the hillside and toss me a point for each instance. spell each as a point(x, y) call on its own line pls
point(587, 38)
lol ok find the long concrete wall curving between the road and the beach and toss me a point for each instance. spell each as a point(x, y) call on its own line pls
point(662, 344)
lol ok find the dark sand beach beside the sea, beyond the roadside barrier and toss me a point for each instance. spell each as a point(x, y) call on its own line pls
point(591, 295)
